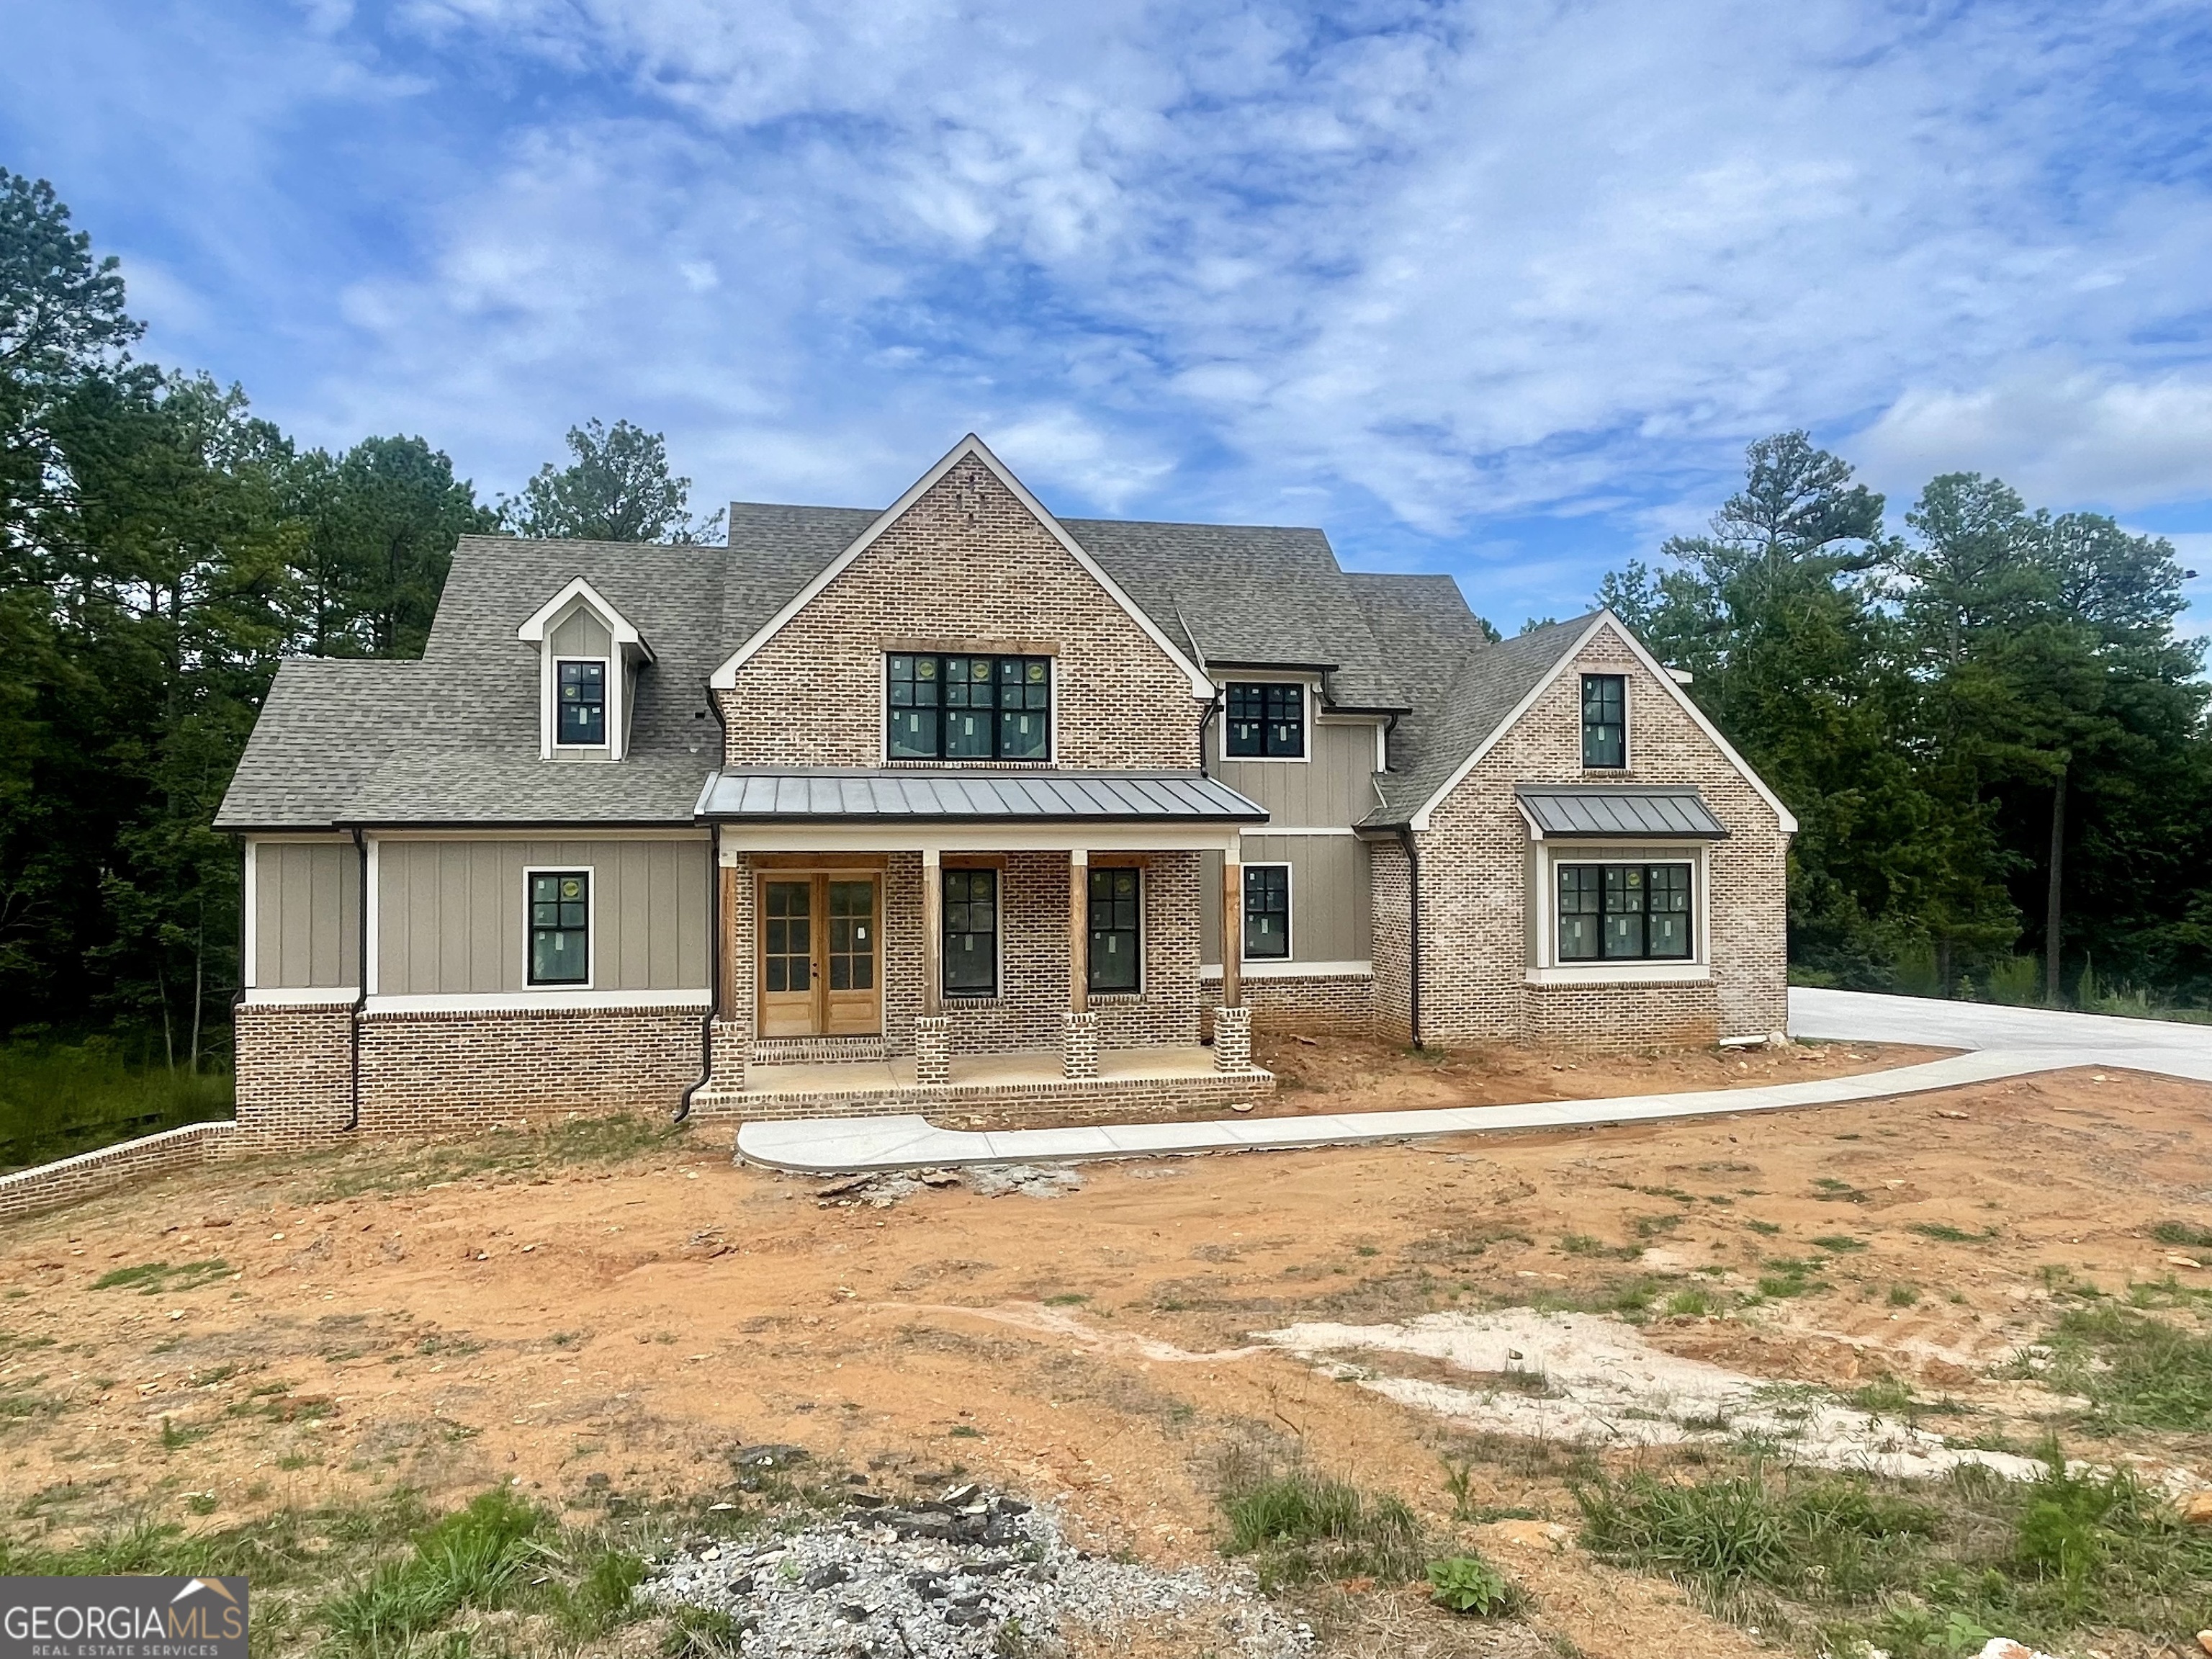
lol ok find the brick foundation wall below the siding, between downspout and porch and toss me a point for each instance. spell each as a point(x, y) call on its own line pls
point(444, 1072)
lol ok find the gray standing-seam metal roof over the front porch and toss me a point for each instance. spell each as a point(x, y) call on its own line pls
point(897, 795)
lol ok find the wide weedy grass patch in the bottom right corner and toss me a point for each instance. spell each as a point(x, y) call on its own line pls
point(1921, 1572)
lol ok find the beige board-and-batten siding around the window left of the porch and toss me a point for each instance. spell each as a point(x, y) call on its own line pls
point(452, 915)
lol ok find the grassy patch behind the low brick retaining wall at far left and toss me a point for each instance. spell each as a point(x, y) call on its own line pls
point(59, 1100)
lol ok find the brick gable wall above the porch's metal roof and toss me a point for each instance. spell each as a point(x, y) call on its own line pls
point(972, 567)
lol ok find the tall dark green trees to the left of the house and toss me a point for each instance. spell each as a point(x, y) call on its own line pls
point(163, 547)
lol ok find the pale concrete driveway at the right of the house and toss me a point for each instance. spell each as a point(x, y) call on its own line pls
point(2164, 1047)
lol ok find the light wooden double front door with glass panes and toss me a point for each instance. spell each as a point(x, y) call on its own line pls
point(822, 954)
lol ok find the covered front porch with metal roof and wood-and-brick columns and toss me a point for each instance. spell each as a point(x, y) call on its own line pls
point(1010, 946)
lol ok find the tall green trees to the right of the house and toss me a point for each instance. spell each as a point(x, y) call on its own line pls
point(1987, 724)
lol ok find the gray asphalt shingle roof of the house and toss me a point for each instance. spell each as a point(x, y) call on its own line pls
point(455, 740)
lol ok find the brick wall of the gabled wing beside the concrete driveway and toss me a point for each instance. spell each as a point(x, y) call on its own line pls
point(1477, 893)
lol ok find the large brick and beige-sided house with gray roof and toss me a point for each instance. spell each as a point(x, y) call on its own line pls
point(972, 808)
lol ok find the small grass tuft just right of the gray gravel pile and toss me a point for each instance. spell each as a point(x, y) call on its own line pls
point(1302, 1527)
